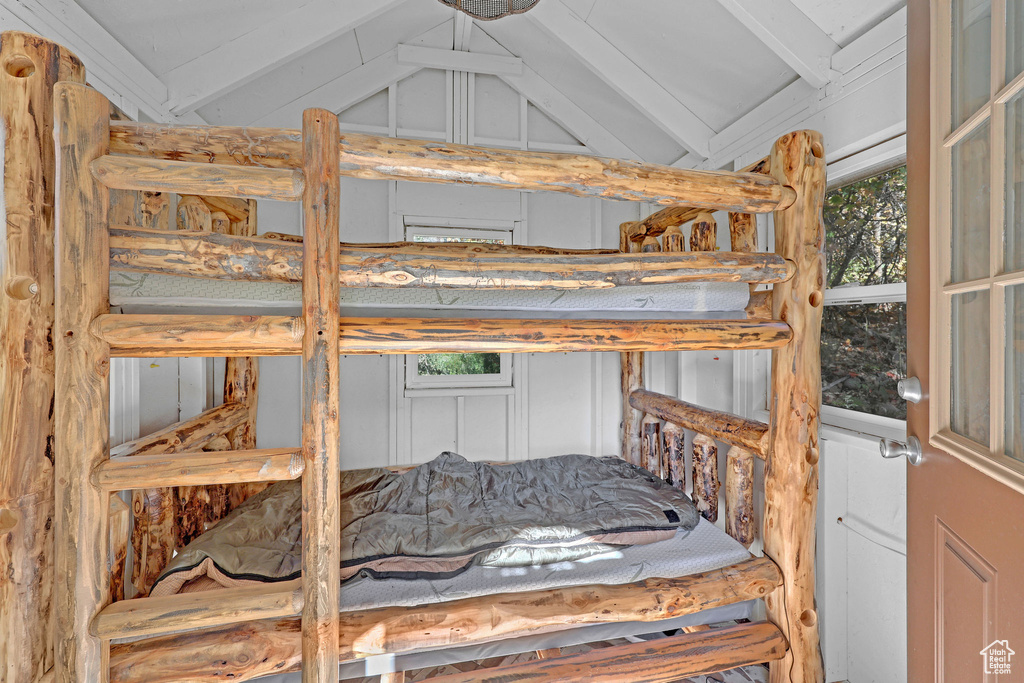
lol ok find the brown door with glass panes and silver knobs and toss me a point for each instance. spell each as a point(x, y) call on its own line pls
point(966, 340)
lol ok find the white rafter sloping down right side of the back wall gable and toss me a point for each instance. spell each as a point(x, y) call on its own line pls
point(561, 109)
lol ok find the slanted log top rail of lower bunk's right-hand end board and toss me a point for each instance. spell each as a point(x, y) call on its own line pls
point(721, 426)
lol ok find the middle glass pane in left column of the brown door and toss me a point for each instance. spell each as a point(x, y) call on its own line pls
point(971, 206)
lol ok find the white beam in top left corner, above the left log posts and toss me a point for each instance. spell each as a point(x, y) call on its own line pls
point(110, 67)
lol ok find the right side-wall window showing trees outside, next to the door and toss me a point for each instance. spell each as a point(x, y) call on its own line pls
point(864, 326)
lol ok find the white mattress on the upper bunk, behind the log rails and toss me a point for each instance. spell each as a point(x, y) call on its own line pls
point(131, 290)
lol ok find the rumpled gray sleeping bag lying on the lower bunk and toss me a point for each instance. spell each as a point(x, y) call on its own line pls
point(438, 519)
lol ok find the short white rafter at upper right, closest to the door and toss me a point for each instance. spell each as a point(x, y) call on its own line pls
point(790, 34)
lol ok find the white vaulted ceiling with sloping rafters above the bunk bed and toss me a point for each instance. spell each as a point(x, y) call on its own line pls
point(664, 77)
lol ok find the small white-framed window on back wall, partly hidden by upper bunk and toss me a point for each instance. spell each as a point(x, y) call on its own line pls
point(428, 371)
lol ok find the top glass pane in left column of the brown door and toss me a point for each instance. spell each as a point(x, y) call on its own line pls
point(972, 25)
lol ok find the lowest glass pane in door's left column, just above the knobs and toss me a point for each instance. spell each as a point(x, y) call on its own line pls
point(969, 406)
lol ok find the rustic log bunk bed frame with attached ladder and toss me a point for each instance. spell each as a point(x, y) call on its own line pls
point(110, 177)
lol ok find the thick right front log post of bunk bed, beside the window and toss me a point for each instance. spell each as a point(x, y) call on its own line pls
point(791, 471)
